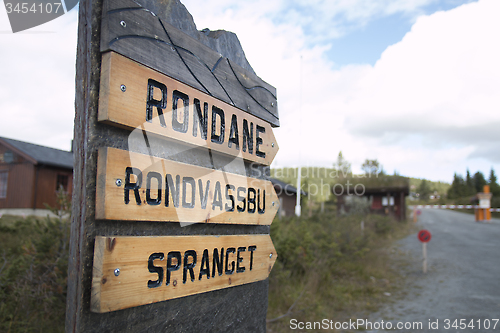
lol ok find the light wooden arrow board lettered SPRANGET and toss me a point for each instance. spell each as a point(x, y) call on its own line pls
point(132, 271)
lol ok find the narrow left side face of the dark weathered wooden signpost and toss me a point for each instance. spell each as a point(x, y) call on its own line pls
point(86, 98)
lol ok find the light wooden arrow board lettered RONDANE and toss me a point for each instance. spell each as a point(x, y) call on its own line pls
point(134, 96)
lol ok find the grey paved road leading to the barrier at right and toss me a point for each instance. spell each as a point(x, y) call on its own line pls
point(463, 278)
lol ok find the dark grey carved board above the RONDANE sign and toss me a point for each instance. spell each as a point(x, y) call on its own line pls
point(144, 37)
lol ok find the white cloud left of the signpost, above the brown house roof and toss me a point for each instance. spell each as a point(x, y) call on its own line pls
point(37, 82)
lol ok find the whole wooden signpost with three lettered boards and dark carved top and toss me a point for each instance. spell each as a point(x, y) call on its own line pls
point(171, 201)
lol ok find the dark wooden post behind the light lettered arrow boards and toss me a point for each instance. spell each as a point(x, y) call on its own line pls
point(241, 308)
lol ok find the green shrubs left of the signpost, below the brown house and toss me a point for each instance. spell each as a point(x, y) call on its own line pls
point(33, 271)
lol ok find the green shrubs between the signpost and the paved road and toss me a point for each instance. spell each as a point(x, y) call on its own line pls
point(328, 267)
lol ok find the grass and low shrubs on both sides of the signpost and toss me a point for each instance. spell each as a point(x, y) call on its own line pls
point(327, 267)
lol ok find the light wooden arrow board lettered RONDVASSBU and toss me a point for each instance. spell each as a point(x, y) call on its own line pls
point(137, 187)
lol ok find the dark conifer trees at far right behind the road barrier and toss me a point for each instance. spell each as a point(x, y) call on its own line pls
point(470, 185)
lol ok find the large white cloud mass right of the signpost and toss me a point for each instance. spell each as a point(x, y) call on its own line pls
point(409, 110)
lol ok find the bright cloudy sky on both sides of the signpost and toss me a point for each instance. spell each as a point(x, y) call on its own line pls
point(414, 84)
